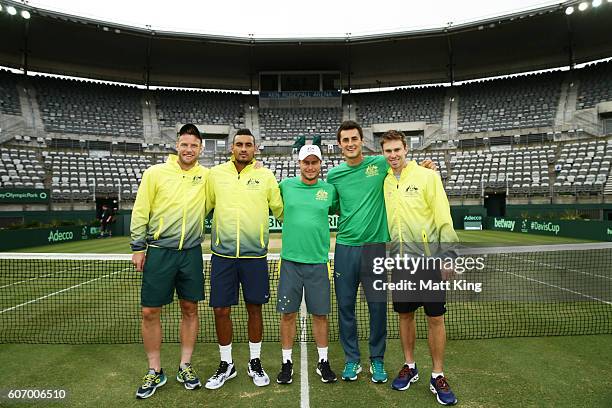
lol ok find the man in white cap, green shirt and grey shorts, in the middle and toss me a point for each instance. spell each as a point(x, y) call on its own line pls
point(304, 265)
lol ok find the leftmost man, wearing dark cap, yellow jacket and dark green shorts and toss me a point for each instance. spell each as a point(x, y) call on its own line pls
point(167, 229)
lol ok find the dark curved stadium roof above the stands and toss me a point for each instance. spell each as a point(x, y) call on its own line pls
point(537, 39)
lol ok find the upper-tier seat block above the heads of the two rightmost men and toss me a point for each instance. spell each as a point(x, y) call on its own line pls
point(405, 105)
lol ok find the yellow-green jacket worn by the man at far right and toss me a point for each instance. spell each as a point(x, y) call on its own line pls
point(418, 211)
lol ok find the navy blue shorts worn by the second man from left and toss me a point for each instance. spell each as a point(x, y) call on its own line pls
point(226, 274)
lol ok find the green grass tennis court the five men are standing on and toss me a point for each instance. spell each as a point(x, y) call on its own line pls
point(546, 371)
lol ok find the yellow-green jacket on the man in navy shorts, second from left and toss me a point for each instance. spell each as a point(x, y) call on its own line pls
point(241, 201)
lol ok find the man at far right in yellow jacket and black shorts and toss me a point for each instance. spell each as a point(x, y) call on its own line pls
point(419, 221)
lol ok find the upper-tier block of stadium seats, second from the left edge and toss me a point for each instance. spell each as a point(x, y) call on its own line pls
point(81, 107)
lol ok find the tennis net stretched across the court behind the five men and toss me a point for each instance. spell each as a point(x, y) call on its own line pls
point(95, 298)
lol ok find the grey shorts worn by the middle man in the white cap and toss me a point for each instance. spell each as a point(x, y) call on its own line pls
point(313, 279)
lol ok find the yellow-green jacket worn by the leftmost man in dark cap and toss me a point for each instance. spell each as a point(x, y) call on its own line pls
point(170, 207)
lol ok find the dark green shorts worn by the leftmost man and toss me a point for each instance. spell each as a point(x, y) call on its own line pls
point(167, 269)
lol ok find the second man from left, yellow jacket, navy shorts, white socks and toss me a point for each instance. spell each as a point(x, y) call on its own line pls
point(242, 196)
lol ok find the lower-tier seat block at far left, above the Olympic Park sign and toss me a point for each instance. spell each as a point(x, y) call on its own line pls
point(20, 169)
